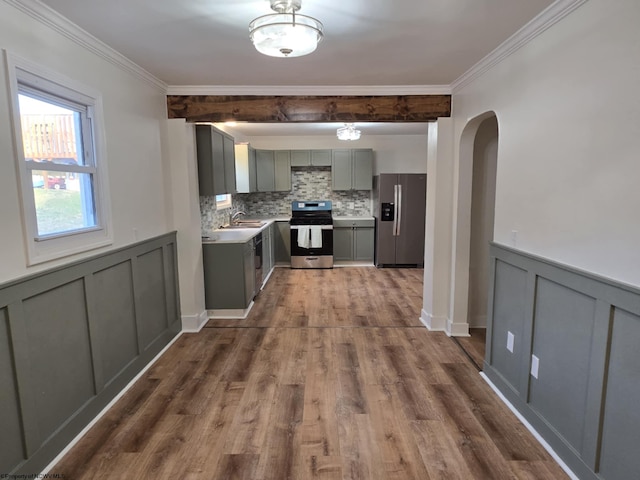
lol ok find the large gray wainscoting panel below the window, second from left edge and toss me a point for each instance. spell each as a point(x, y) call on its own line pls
point(61, 370)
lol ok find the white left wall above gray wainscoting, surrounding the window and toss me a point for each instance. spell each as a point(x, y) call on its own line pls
point(135, 116)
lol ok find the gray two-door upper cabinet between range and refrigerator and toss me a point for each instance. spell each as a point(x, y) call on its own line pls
point(352, 169)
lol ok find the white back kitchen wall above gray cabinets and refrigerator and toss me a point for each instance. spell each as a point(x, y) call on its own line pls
point(392, 153)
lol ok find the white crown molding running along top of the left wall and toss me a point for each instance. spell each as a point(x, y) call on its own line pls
point(52, 19)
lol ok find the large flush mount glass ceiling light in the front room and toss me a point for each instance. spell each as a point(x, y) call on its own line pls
point(285, 33)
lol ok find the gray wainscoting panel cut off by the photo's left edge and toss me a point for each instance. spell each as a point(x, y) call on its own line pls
point(11, 438)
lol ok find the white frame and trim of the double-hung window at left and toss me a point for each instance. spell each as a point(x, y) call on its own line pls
point(45, 248)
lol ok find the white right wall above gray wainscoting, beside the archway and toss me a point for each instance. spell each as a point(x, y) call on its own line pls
point(568, 110)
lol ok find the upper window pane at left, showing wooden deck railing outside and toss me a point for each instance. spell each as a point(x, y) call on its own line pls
point(50, 133)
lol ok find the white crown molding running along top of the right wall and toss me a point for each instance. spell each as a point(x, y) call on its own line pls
point(547, 18)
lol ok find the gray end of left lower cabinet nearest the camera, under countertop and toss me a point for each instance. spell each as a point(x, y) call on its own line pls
point(229, 275)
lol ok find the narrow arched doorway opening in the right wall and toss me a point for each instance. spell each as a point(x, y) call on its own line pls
point(474, 207)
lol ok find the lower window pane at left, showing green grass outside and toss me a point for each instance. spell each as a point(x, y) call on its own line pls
point(64, 201)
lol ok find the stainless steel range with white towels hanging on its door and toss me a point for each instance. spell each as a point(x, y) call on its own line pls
point(311, 234)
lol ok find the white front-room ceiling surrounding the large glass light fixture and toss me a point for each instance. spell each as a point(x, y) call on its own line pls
point(368, 43)
